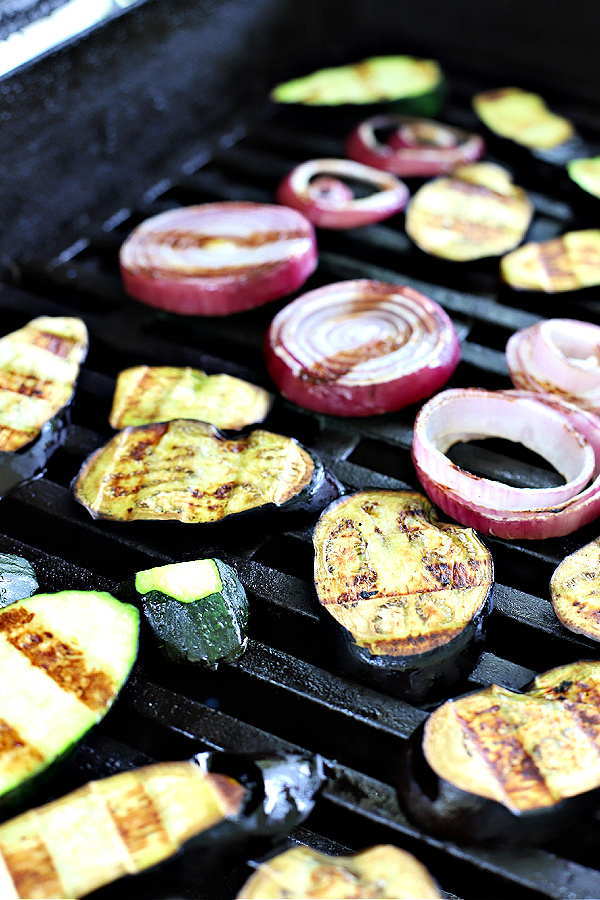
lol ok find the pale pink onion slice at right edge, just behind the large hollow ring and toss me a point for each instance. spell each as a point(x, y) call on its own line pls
point(561, 356)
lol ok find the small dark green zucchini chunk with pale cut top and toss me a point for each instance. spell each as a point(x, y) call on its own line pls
point(198, 610)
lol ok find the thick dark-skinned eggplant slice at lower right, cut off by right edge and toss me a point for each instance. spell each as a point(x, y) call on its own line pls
point(496, 765)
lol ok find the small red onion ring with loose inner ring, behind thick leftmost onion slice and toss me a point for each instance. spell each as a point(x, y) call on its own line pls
point(337, 207)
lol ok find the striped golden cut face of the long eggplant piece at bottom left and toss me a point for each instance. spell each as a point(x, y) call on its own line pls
point(110, 828)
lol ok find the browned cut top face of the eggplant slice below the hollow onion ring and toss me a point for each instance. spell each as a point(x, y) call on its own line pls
point(398, 579)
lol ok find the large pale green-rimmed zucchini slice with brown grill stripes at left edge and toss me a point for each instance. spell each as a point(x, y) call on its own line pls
point(63, 659)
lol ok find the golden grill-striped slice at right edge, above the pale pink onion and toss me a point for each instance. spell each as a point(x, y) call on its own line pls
point(567, 263)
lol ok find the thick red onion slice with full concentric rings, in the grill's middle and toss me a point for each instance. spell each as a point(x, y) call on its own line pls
point(360, 348)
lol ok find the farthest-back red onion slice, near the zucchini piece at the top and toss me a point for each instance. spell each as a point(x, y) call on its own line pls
point(416, 147)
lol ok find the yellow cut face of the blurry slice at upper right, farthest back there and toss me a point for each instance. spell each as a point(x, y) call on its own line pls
point(523, 117)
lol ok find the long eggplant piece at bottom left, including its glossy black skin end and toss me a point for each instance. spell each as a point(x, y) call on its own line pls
point(128, 822)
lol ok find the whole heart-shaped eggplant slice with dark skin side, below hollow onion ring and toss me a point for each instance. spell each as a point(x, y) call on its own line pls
point(404, 597)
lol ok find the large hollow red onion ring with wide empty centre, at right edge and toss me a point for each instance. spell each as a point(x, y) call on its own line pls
point(559, 431)
